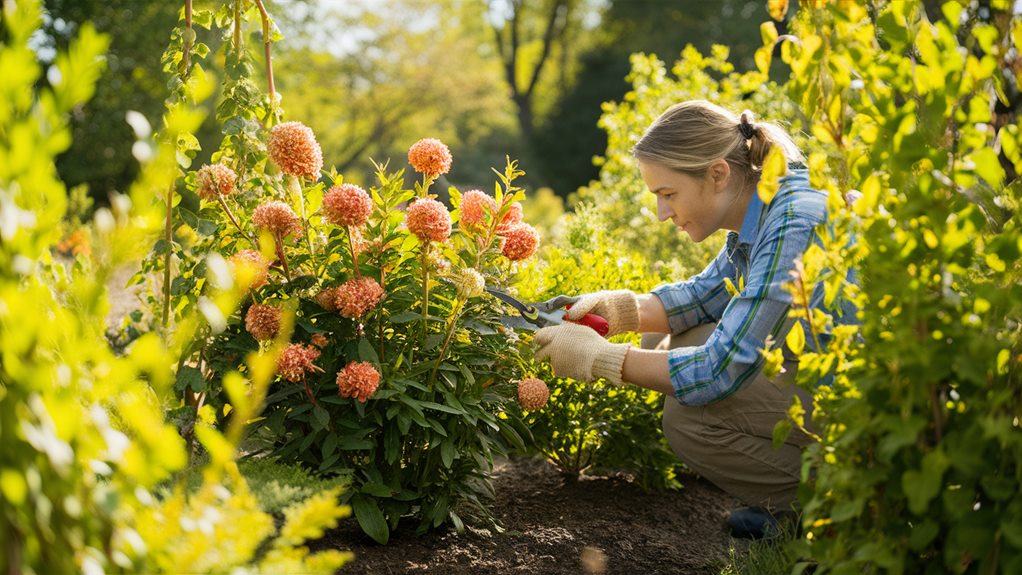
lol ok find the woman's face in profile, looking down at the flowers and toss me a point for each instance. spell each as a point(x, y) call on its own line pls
point(698, 206)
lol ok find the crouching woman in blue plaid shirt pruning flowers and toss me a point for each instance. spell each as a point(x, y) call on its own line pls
point(703, 163)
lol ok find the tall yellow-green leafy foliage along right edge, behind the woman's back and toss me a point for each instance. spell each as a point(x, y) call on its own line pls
point(918, 470)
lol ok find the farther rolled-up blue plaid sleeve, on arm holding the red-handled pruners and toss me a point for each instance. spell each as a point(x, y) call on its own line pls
point(702, 299)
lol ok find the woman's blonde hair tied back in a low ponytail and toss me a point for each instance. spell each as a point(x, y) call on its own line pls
point(690, 136)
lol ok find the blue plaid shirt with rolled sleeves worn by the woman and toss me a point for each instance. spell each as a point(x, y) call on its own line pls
point(762, 256)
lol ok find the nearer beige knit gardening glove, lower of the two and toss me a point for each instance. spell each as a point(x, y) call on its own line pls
point(581, 354)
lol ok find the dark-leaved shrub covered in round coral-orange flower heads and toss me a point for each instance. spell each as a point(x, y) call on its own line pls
point(398, 370)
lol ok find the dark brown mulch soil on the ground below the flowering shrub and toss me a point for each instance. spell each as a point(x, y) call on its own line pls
point(595, 525)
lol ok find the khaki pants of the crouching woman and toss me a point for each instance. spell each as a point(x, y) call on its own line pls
point(730, 443)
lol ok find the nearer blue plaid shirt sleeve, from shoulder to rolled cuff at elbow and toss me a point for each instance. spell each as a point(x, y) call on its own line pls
point(732, 356)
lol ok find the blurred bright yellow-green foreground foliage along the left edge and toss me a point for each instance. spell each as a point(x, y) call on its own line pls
point(83, 444)
